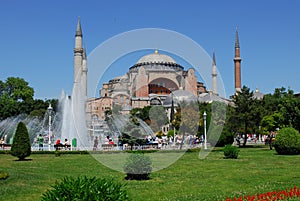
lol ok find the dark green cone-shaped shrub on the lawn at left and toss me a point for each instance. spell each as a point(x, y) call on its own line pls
point(21, 143)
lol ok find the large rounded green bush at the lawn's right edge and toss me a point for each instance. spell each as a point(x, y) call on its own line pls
point(287, 142)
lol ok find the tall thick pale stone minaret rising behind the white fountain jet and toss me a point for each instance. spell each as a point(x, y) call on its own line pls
point(78, 54)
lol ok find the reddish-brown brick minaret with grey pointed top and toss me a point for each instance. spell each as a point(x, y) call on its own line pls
point(237, 63)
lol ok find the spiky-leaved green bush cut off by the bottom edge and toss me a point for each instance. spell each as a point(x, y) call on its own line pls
point(87, 189)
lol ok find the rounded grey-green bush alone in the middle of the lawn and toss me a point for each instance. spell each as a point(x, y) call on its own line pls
point(138, 167)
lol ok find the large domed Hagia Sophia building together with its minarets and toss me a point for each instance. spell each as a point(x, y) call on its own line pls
point(150, 81)
